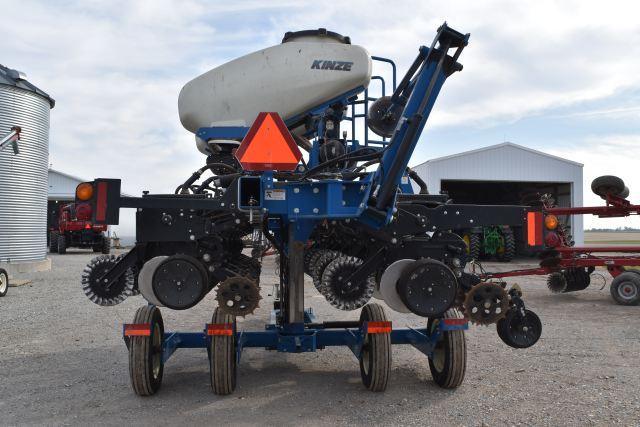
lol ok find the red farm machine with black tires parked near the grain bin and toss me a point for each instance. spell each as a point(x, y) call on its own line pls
point(74, 228)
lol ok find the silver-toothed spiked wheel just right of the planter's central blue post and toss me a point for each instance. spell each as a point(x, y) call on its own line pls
point(344, 294)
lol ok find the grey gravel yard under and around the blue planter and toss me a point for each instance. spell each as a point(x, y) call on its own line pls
point(63, 361)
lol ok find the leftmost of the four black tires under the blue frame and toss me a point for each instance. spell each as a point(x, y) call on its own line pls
point(145, 353)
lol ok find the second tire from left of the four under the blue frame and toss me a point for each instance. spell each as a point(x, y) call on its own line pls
point(222, 357)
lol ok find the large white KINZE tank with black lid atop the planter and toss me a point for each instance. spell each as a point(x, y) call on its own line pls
point(306, 70)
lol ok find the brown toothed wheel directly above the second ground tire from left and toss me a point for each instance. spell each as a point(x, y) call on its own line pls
point(238, 296)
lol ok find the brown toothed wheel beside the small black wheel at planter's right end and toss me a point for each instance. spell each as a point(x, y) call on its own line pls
point(486, 303)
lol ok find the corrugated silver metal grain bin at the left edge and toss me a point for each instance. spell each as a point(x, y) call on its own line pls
point(23, 177)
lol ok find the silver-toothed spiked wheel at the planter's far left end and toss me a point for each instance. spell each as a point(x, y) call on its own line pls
point(101, 293)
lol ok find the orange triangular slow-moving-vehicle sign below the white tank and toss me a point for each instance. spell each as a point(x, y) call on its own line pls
point(268, 146)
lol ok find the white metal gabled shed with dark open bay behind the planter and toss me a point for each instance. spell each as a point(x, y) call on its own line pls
point(506, 173)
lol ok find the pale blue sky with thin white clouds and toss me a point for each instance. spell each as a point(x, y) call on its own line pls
point(561, 77)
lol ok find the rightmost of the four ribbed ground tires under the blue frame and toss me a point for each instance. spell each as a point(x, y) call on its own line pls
point(449, 360)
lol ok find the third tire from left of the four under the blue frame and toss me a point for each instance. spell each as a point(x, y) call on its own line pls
point(375, 356)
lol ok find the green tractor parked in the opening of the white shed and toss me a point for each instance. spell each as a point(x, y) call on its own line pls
point(488, 242)
